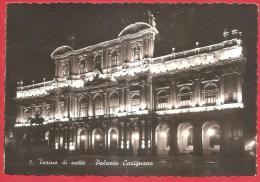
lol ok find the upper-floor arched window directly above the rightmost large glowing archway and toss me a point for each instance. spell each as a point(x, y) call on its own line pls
point(209, 94)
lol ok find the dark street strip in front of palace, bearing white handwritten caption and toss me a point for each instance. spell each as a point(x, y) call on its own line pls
point(185, 165)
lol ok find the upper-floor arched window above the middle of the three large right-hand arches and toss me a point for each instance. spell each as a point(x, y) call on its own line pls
point(184, 97)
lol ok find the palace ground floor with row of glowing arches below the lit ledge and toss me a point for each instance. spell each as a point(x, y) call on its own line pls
point(204, 133)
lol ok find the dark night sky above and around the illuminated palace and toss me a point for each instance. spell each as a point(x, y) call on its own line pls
point(34, 31)
